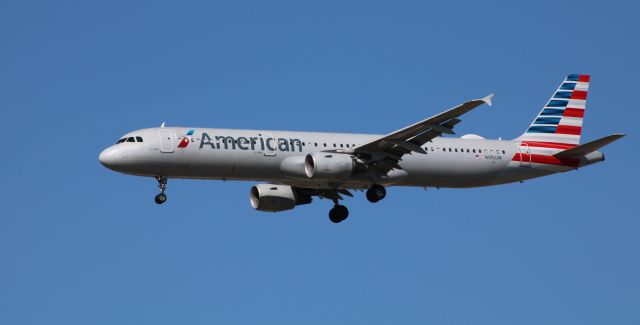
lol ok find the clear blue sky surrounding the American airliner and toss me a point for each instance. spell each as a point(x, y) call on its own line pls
point(80, 244)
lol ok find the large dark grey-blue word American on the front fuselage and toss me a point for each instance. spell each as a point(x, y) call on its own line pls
point(260, 143)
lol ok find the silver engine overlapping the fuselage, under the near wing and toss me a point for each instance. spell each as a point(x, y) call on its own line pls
point(321, 165)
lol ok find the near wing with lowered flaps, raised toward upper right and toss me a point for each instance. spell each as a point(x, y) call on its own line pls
point(387, 151)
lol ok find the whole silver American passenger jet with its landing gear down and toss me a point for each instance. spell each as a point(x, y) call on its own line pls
point(296, 166)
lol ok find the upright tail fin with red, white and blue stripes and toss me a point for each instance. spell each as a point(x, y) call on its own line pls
point(560, 121)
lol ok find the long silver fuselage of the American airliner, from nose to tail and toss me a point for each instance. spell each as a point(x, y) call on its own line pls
point(258, 155)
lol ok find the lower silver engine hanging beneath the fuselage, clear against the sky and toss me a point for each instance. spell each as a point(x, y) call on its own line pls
point(274, 198)
